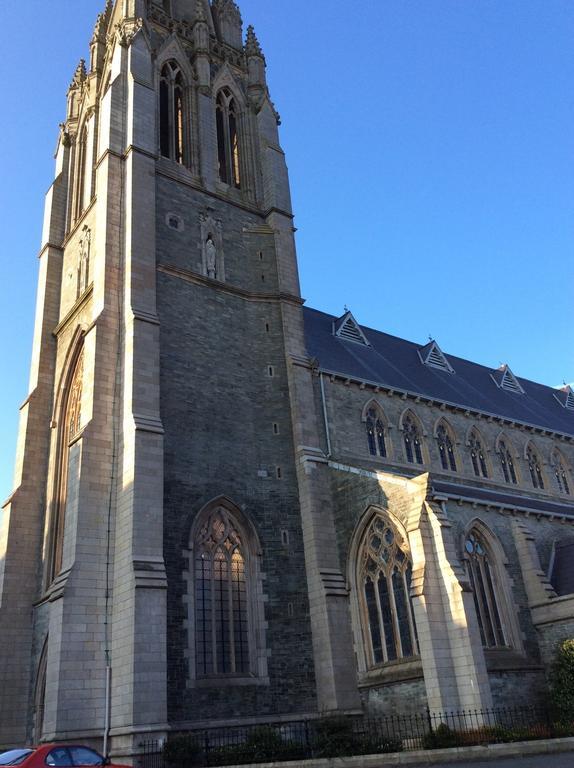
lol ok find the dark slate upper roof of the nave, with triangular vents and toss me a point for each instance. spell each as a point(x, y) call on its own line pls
point(395, 363)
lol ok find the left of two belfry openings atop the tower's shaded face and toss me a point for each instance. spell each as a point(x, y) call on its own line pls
point(172, 113)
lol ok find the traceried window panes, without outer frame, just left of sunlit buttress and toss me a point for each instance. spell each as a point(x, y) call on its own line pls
point(385, 575)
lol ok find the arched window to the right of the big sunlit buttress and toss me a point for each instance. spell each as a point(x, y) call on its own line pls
point(486, 564)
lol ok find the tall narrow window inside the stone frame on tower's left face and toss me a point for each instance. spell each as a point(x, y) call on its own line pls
point(71, 421)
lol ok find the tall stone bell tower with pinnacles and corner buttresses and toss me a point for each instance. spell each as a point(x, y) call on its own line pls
point(170, 388)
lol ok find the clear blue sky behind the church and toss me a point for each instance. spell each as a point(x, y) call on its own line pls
point(430, 145)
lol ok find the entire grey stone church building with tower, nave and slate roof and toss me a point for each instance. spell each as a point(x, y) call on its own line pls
point(229, 507)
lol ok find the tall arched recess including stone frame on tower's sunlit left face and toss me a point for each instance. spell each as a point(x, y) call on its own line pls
point(67, 418)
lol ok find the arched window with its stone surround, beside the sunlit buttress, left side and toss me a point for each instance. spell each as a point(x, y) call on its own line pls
point(380, 569)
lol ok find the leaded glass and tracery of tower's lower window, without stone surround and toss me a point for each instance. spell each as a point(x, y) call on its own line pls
point(221, 598)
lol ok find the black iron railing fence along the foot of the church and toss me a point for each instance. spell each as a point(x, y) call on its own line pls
point(339, 737)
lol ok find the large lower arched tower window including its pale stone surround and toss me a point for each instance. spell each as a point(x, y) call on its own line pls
point(225, 602)
